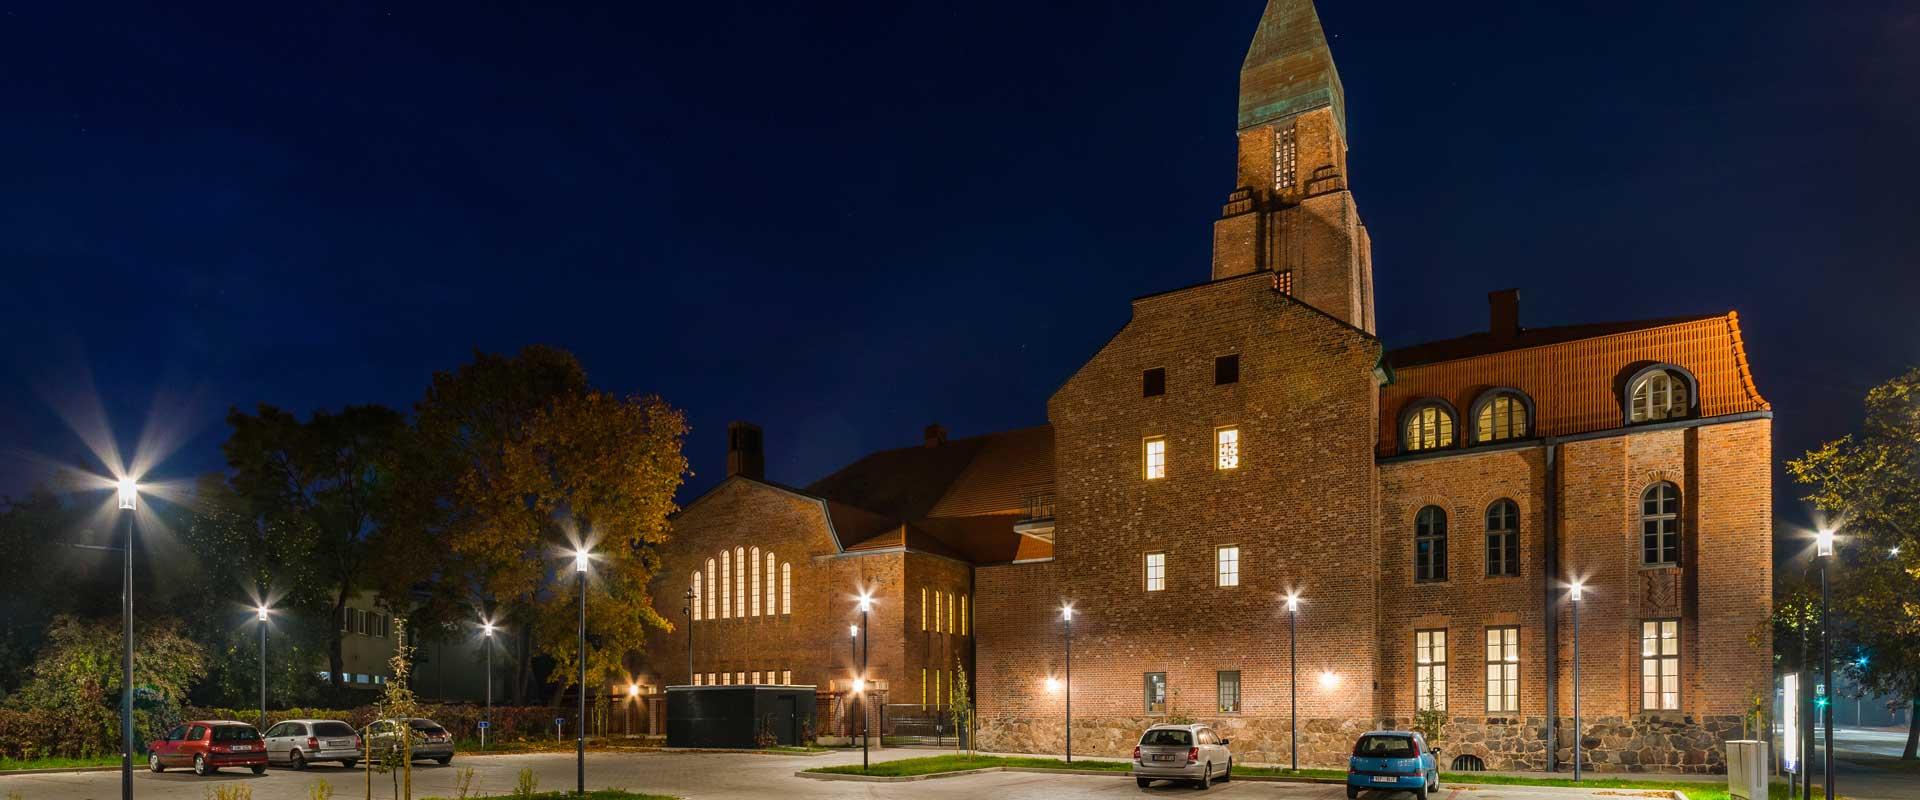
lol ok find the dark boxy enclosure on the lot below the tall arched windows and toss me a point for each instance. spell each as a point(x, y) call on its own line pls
point(734, 717)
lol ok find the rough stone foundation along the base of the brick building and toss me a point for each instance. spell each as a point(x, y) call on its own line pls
point(1614, 745)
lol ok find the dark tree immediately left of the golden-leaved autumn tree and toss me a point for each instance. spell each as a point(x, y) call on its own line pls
point(322, 486)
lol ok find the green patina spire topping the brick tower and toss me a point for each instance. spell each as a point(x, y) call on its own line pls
point(1289, 68)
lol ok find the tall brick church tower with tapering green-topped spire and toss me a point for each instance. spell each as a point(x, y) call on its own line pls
point(1293, 212)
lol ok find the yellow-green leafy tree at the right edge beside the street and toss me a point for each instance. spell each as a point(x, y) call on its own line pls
point(1871, 482)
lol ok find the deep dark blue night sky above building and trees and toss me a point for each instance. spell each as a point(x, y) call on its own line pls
point(848, 222)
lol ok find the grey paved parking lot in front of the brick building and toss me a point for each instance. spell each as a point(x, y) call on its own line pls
point(696, 778)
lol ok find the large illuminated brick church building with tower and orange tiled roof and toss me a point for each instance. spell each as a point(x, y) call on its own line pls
point(1247, 440)
